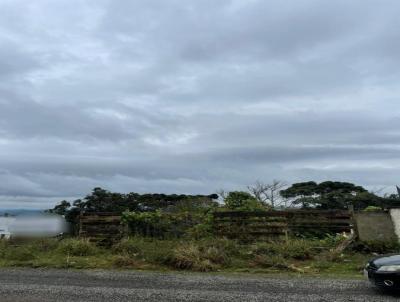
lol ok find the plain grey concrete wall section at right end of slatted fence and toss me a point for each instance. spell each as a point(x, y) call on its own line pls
point(375, 226)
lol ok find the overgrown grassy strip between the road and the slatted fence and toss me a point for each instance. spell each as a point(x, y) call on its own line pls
point(300, 256)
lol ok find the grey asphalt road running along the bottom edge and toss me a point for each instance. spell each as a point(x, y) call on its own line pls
point(59, 285)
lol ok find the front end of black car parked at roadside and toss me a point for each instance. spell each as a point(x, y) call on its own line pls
point(384, 272)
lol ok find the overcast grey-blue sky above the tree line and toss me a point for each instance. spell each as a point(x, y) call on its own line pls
point(193, 96)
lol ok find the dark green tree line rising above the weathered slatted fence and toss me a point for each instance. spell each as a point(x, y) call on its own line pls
point(259, 196)
